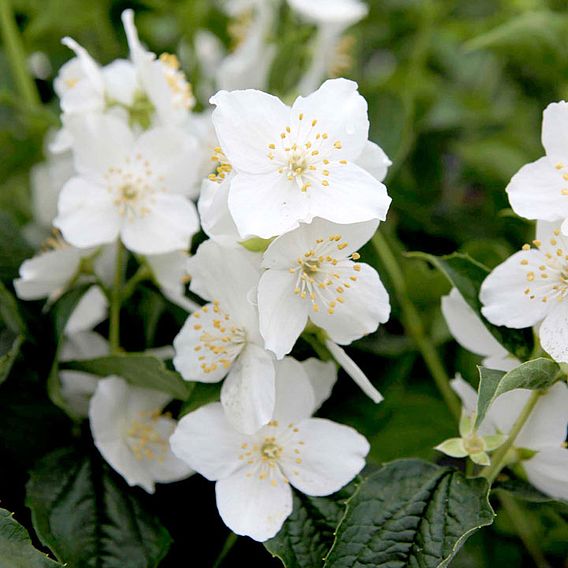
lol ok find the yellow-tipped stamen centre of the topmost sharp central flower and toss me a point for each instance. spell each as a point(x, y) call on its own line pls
point(305, 154)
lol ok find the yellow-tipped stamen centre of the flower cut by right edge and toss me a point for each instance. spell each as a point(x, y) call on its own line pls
point(548, 277)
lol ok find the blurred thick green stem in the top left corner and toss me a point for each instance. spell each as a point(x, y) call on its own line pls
point(17, 56)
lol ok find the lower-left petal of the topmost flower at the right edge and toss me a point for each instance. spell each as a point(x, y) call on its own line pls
point(535, 191)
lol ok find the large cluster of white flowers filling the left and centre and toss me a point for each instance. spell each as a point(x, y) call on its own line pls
point(287, 196)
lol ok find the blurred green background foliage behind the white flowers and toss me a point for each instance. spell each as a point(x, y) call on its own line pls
point(456, 91)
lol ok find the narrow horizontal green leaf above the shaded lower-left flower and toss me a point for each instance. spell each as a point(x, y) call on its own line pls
point(140, 370)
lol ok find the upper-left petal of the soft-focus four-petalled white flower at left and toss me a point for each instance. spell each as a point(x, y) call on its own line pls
point(99, 142)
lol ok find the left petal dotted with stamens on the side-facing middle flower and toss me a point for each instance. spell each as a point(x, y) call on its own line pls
point(204, 361)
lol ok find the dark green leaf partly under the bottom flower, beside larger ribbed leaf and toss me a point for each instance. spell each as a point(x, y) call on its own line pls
point(307, 534)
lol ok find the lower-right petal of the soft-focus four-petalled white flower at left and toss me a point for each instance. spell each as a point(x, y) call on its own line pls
point(169, 226)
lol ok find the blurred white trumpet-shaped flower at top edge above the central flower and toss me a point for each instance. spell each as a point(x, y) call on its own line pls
point(332, 18)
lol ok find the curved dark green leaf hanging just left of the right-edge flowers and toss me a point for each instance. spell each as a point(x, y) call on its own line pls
point(467, 275)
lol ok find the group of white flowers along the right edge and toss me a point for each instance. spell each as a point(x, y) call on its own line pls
point(529, 289)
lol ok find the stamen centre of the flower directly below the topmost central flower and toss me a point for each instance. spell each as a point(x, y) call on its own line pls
point(324, 273)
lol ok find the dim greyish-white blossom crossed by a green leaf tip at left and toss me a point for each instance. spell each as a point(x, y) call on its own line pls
point(77, 387)
